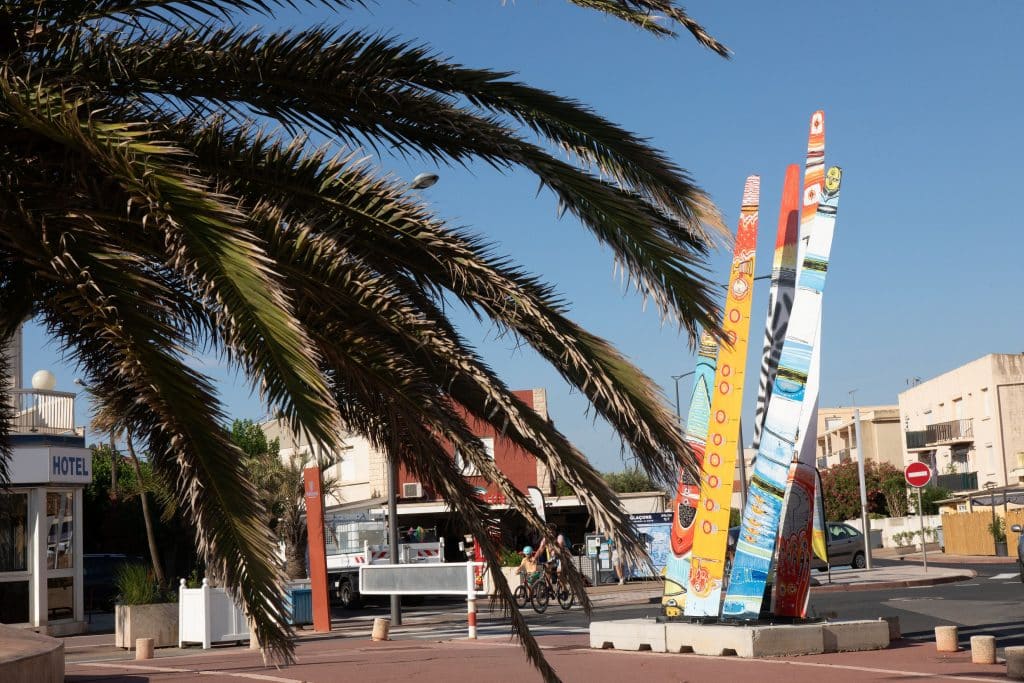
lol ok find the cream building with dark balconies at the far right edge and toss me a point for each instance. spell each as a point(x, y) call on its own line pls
point(968, 424)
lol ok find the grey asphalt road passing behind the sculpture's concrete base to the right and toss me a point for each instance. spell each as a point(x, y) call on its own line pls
point(991, 605)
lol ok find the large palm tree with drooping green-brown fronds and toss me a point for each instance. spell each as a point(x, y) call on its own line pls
point(148, 216)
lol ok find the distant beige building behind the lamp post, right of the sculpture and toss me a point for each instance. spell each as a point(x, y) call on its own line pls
point(880, 432)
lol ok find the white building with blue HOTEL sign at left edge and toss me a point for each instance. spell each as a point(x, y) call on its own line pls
point(41, 514)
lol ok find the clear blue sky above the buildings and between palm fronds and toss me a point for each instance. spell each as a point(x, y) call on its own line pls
point(923, 106)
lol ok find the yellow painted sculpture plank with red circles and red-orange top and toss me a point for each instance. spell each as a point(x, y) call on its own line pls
point(712, 526)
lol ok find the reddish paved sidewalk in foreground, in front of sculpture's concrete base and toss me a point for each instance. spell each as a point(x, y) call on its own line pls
point(498, 660)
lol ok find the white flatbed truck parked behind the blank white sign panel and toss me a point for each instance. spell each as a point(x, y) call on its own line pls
point(352, 544)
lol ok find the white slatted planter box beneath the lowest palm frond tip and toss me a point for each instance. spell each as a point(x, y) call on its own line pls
point(209, 616)
